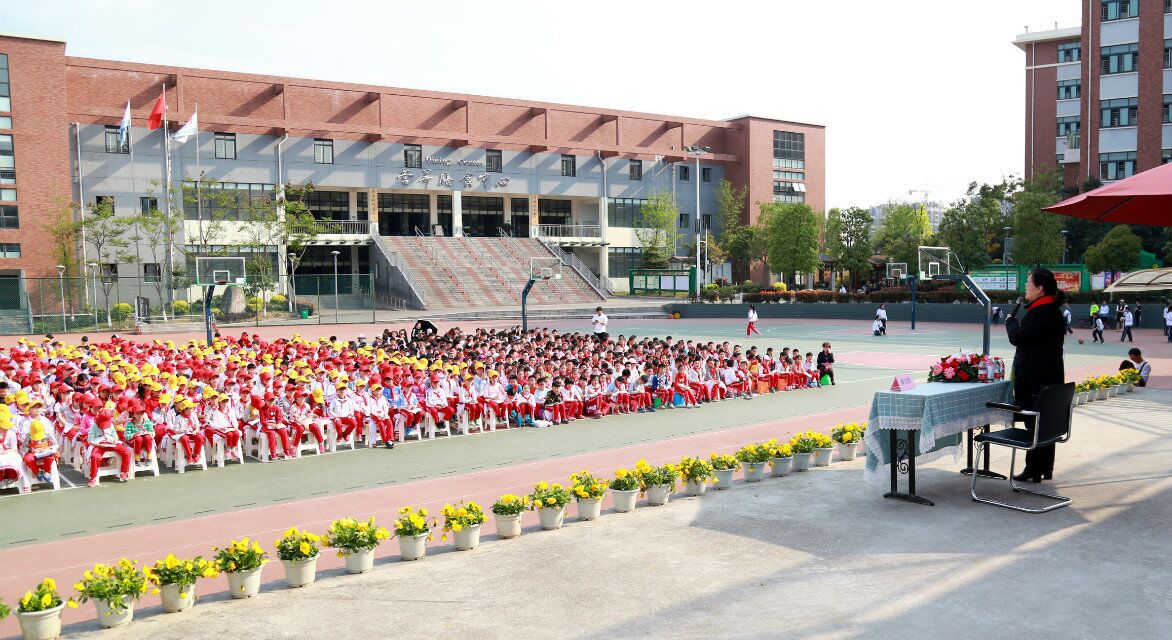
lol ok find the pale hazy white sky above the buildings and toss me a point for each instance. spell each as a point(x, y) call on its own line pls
point(915, 94)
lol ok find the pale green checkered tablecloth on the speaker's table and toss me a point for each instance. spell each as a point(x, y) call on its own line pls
point(938, 413)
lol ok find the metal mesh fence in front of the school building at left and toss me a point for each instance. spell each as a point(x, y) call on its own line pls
point(52, 305)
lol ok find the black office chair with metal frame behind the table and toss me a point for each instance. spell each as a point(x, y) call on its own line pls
point(1052, 416)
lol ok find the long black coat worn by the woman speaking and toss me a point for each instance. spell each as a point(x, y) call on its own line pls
point(1039, 338)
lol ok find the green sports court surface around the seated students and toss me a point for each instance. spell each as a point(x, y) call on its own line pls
point(47, 516)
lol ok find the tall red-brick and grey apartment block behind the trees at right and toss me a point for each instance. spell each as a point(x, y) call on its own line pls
point(1099, 97)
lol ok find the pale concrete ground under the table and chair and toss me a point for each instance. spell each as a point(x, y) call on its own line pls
point(816, 555)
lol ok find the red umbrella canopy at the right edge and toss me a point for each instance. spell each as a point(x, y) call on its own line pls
point(1144, 199)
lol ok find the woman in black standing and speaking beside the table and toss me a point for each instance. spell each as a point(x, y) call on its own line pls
point(1039, 337)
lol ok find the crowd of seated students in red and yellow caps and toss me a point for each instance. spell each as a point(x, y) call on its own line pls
point(132, 401)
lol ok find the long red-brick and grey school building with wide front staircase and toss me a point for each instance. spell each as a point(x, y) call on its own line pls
point(385, 161)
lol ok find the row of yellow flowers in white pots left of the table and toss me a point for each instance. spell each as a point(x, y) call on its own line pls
point(115, 589)
